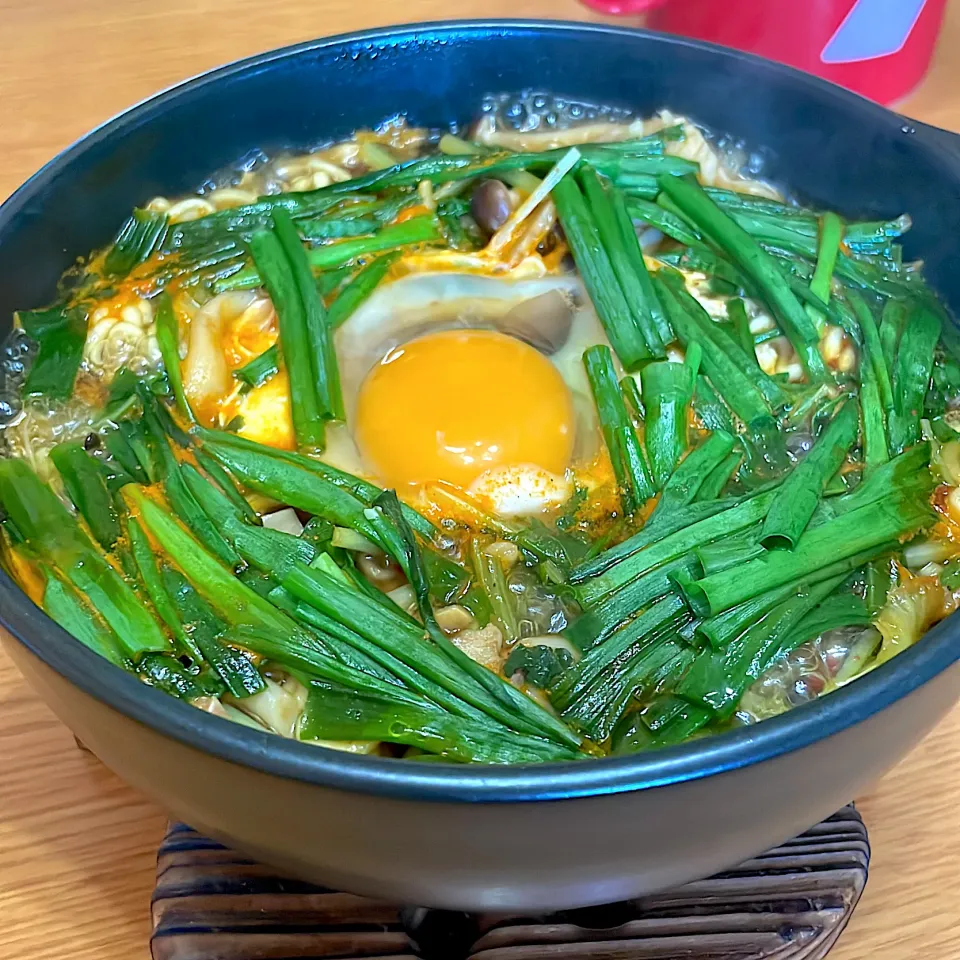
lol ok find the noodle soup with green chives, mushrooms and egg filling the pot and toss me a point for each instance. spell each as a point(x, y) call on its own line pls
point(540, 442)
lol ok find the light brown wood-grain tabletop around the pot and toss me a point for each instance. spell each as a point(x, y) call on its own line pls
point(77, 846)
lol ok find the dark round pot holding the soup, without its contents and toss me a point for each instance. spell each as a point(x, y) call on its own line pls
point(550, 836)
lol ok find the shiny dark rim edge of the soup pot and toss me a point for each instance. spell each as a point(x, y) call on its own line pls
point(289, 759)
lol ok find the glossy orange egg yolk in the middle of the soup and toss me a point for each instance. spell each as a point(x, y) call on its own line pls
point(450, 405)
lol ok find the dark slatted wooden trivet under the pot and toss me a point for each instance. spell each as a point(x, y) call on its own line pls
point(790, 903)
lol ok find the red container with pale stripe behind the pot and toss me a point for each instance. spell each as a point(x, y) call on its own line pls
point(878, 48)
